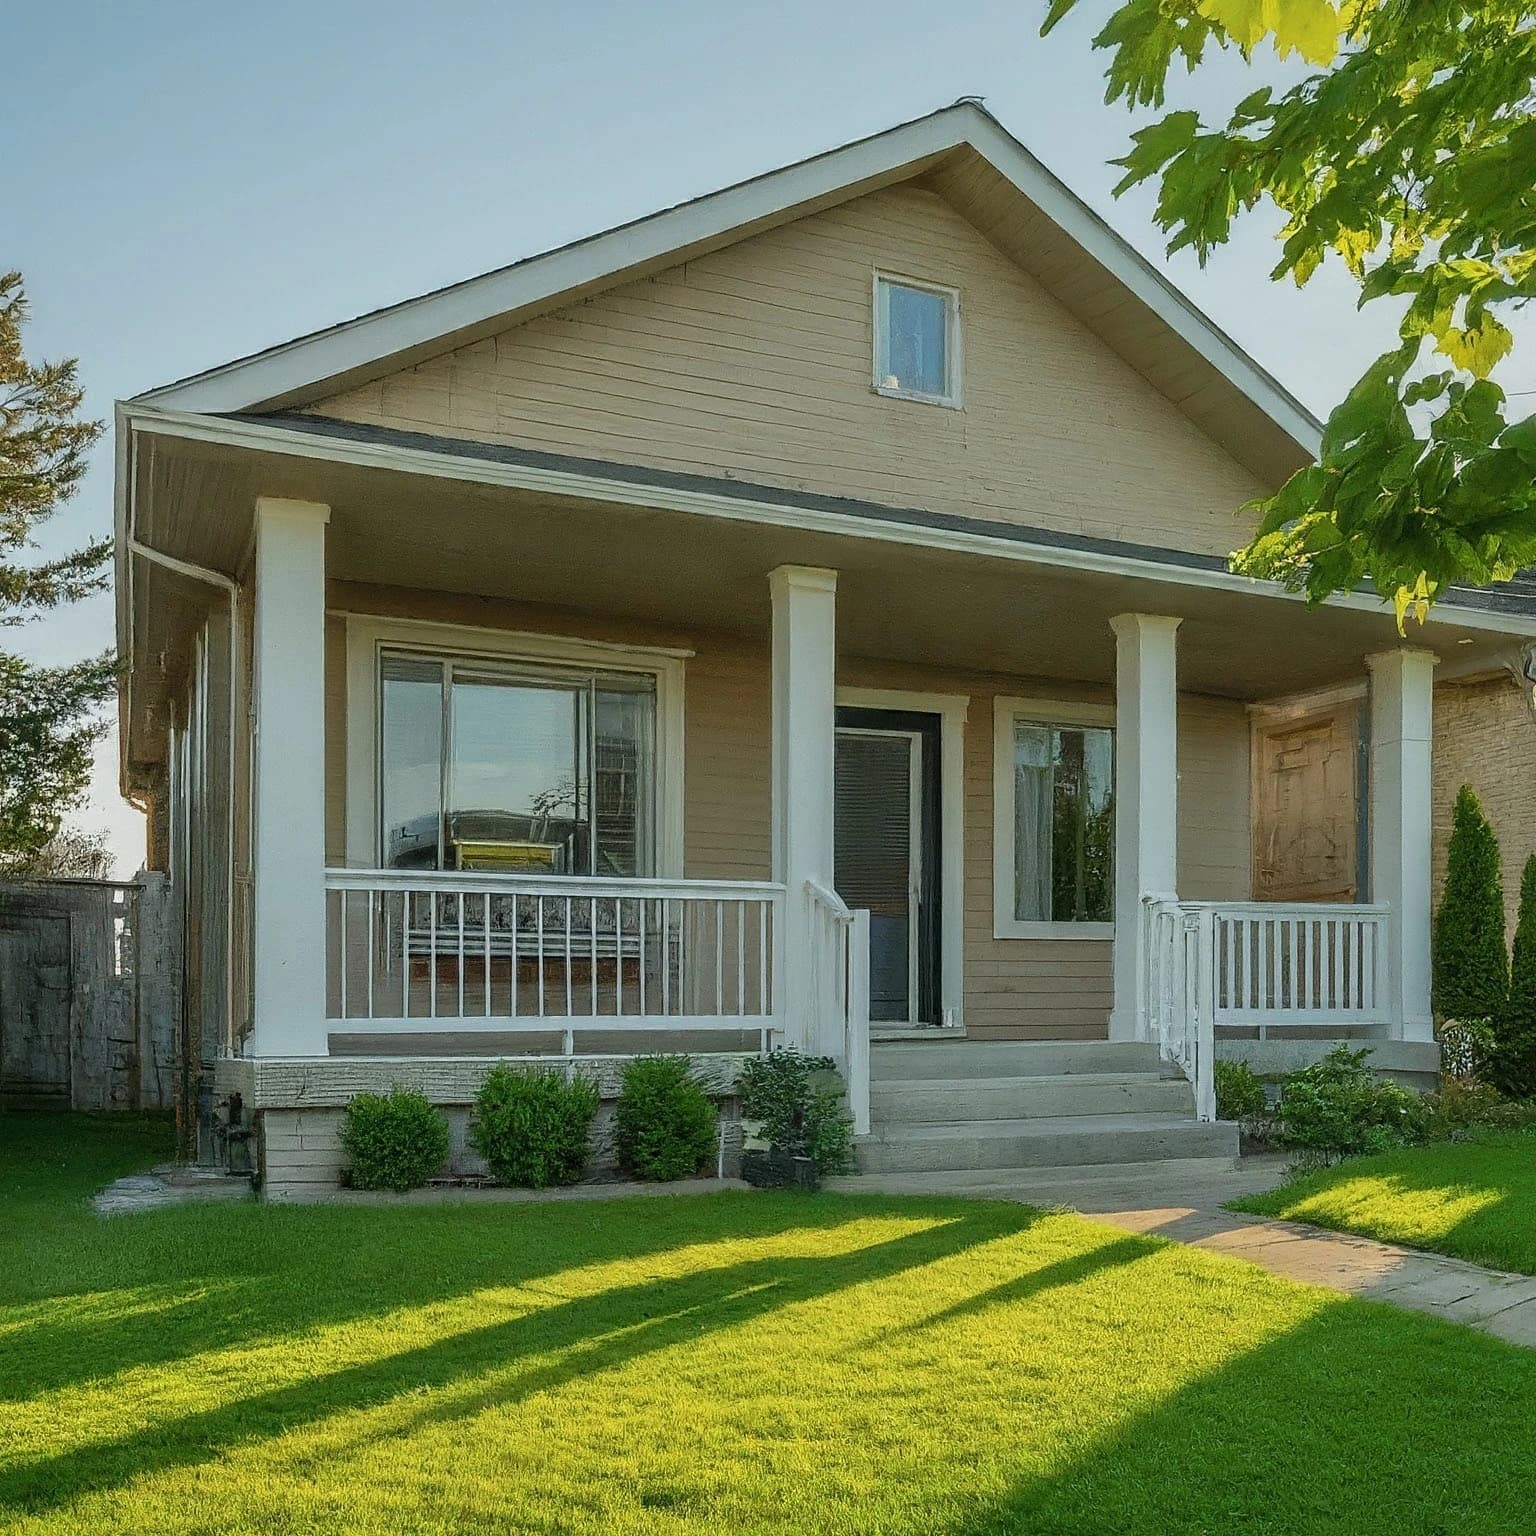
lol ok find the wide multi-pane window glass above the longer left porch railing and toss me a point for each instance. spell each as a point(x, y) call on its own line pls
point(517, 767)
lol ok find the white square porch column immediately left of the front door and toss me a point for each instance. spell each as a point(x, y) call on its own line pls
point(804, 721)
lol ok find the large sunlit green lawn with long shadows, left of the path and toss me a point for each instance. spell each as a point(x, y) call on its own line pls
point(721, 1365)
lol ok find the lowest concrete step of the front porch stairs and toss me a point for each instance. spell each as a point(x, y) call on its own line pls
point(1048, 1142)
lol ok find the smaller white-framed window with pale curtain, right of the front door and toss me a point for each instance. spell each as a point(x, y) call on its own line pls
point(1054, 801)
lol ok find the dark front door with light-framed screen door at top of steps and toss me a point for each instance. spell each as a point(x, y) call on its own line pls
point(887, 853)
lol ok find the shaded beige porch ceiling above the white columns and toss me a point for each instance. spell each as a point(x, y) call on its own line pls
point(690, 571)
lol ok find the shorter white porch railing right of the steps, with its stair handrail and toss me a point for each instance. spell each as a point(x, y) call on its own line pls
point(1259, 964)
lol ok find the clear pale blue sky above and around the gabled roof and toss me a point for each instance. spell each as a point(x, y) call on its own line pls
point(191, 182)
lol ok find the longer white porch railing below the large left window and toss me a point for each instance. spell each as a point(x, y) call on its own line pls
point(428, 950)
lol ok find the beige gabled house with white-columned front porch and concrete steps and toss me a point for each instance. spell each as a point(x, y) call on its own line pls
point(801, 615)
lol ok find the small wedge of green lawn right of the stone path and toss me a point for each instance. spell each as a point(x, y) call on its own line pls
point(1475, 1200)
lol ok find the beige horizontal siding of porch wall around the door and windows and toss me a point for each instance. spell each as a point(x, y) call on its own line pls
point(1015, 988)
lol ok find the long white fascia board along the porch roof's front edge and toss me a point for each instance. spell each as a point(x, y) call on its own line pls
point(761, 511)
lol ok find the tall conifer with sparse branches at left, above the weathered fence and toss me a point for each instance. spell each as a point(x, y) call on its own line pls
point(47, 713)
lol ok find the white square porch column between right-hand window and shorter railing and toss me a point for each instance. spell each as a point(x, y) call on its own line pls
point(1147, 798)
